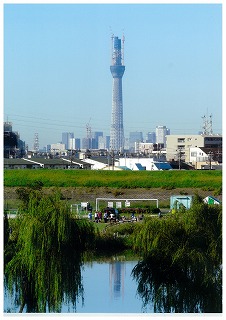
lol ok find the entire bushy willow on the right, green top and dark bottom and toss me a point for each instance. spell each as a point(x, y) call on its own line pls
point(181, 269)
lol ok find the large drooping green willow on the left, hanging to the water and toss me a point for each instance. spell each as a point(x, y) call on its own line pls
point(46, 267)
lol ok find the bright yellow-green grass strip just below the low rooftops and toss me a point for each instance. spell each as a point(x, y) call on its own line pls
point(115, 179)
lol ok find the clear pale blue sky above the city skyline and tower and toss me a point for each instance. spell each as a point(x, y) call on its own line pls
point(57, 67)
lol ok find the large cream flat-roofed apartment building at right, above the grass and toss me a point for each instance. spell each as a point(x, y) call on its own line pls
point(178, 146)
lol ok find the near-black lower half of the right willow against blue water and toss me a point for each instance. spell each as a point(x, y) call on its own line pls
point(171, 290)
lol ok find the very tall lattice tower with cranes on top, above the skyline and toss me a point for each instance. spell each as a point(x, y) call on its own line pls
point(117, 70)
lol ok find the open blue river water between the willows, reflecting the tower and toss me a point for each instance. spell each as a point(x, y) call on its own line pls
point(108, 288)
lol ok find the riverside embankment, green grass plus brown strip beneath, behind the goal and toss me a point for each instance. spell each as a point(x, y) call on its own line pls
point(84, 185)
